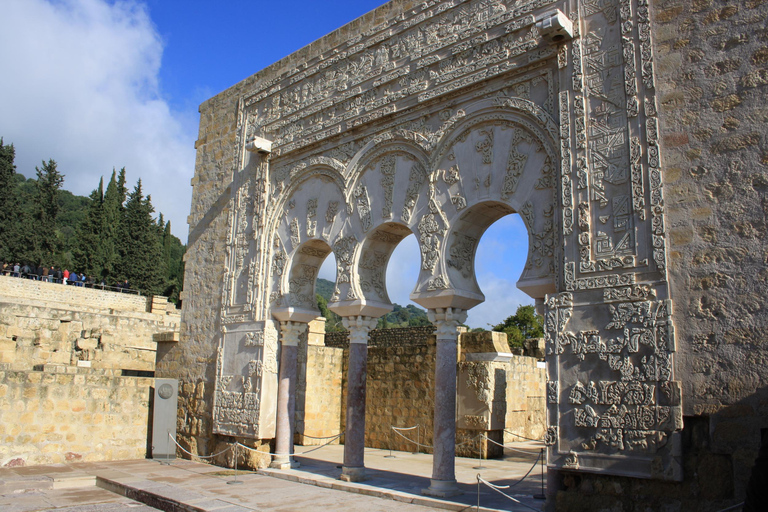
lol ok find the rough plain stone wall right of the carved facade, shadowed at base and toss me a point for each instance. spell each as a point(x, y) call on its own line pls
point(711, 62)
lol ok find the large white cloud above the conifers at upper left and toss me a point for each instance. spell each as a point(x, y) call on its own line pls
point(80, 85)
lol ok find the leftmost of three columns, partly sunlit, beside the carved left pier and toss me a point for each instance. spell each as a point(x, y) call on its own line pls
point(286, 395)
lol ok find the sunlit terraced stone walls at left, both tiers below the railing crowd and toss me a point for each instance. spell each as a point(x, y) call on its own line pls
point(74, 367)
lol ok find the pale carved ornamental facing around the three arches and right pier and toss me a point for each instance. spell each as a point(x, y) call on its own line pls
point(553, 132)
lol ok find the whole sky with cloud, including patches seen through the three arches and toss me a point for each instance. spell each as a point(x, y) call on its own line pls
point(98, 84)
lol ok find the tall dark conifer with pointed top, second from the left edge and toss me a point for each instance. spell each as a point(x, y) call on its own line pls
point(49, 182)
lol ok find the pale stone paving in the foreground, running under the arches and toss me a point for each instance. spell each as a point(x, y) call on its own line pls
point(394, 484)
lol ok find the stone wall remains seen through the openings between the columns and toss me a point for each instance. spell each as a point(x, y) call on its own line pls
point(400, 390)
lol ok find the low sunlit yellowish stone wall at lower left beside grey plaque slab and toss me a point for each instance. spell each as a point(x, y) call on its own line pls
point(77, 416)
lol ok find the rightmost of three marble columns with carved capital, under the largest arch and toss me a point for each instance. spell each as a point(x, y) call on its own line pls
point(443, 482)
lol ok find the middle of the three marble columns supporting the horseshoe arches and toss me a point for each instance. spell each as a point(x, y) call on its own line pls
point(353, 469)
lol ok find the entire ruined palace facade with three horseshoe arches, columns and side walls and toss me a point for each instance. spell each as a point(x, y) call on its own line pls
point(437, 119)
